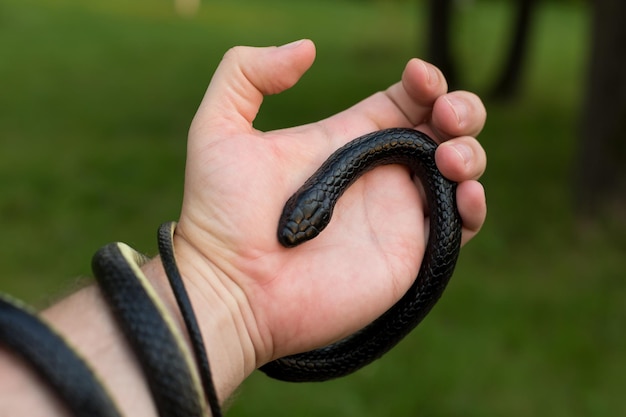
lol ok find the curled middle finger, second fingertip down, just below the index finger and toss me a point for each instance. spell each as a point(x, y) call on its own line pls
point(459, 113)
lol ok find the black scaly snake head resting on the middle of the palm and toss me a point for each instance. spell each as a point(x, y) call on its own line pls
point(305, 215)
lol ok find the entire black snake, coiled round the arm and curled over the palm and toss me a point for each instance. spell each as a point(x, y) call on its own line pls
point(168, 363)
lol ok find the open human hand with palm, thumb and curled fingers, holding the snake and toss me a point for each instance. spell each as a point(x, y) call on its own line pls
point(282, 300)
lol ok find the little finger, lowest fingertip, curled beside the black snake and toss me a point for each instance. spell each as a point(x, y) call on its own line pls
point(472, 205)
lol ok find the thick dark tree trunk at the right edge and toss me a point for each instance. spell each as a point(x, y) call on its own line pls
point(600, 178)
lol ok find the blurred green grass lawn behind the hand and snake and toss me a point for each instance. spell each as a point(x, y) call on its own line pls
point(95, 101)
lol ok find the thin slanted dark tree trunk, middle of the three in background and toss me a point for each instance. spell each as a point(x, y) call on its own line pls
point(508, 84)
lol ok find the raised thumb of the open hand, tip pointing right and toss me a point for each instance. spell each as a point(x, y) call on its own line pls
point(243, 77)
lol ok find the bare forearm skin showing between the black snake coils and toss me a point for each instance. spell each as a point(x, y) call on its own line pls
point(86, 322)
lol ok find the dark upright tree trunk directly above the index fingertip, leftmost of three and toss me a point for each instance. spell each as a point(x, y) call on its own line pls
point(439, 38)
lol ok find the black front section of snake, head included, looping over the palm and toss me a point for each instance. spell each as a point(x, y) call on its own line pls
point(309, 211)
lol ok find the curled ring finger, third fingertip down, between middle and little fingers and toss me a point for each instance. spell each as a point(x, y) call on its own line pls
point(461, 159)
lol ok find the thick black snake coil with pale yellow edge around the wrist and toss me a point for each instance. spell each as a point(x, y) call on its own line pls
point(153, 335)
